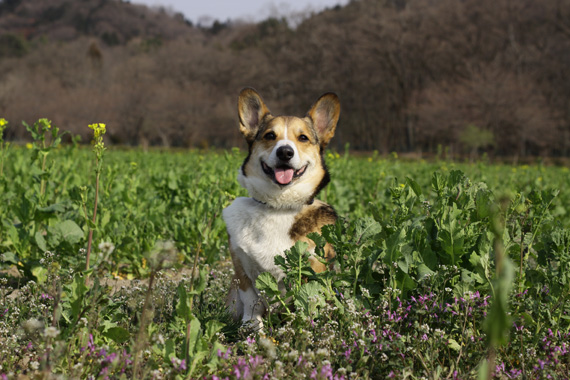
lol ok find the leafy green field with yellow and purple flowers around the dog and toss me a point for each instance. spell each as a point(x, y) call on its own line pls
point(114, 265)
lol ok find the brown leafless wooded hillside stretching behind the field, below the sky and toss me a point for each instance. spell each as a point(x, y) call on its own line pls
point(470, 76)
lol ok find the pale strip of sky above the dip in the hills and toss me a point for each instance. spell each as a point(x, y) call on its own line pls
point(250, 10)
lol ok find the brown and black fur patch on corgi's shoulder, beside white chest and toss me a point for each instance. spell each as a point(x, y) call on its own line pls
point(311, 219)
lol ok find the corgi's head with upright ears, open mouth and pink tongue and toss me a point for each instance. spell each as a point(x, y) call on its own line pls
point(285, 166)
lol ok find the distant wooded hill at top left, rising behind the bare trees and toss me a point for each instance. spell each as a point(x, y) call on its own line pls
point(112, 21)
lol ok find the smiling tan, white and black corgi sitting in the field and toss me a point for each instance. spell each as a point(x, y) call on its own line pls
point(283, 173)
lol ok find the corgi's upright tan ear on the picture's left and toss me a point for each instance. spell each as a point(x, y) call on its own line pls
point(251, 111)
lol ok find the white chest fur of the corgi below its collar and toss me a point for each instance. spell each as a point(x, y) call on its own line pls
point(258, 233)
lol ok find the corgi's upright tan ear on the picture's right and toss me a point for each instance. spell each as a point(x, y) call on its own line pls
point(324, 114)
